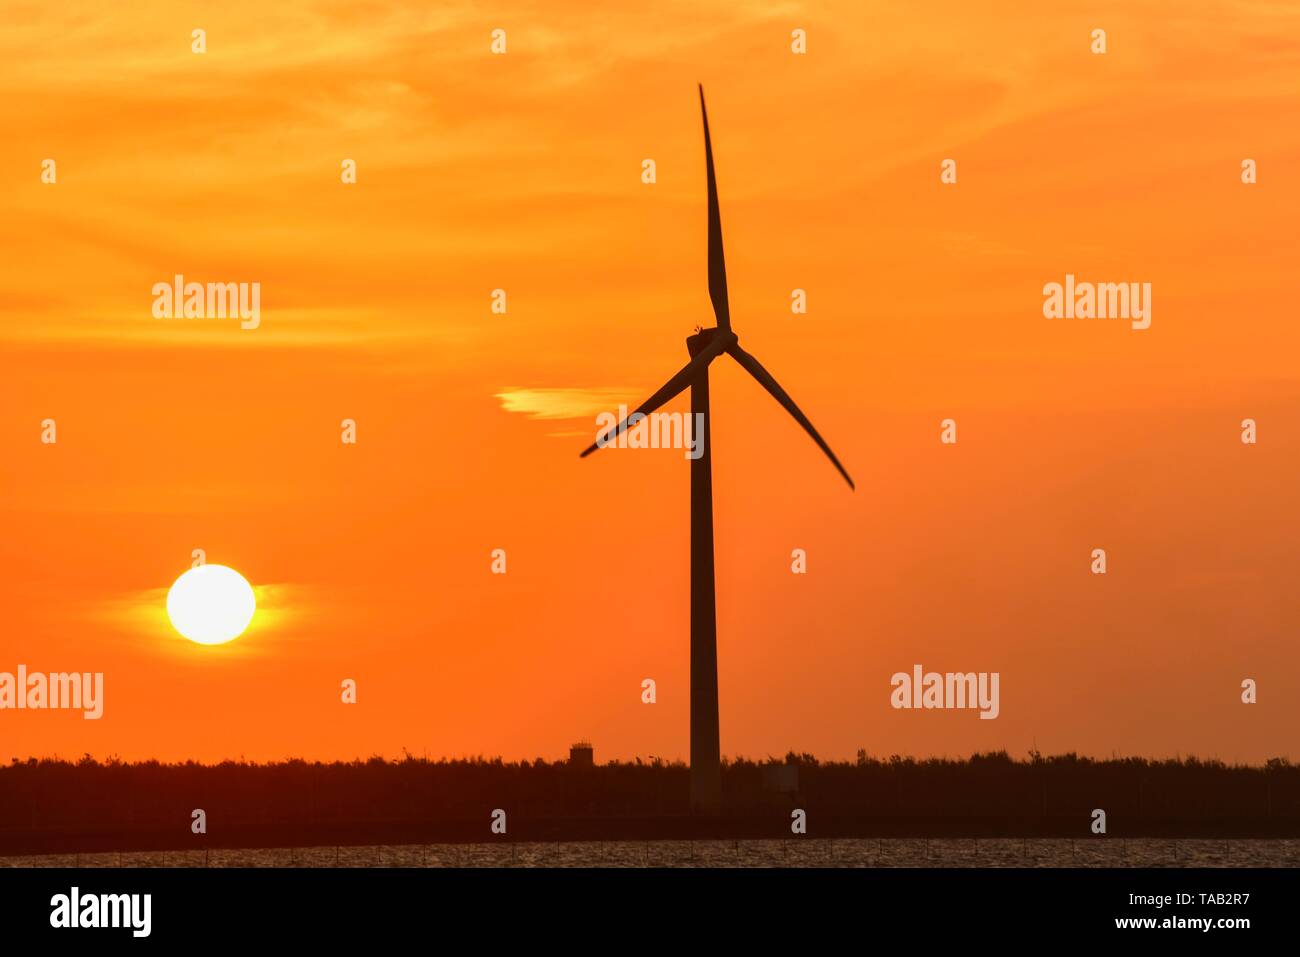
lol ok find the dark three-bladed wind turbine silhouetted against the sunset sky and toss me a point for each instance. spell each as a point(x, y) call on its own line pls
point(704, 348)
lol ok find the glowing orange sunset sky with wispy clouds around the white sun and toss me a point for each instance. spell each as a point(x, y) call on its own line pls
point(522, 172)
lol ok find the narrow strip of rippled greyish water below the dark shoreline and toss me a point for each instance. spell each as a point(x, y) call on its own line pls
point(798, 852)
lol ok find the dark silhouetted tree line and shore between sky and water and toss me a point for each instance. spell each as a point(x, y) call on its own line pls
point(55, 804)
